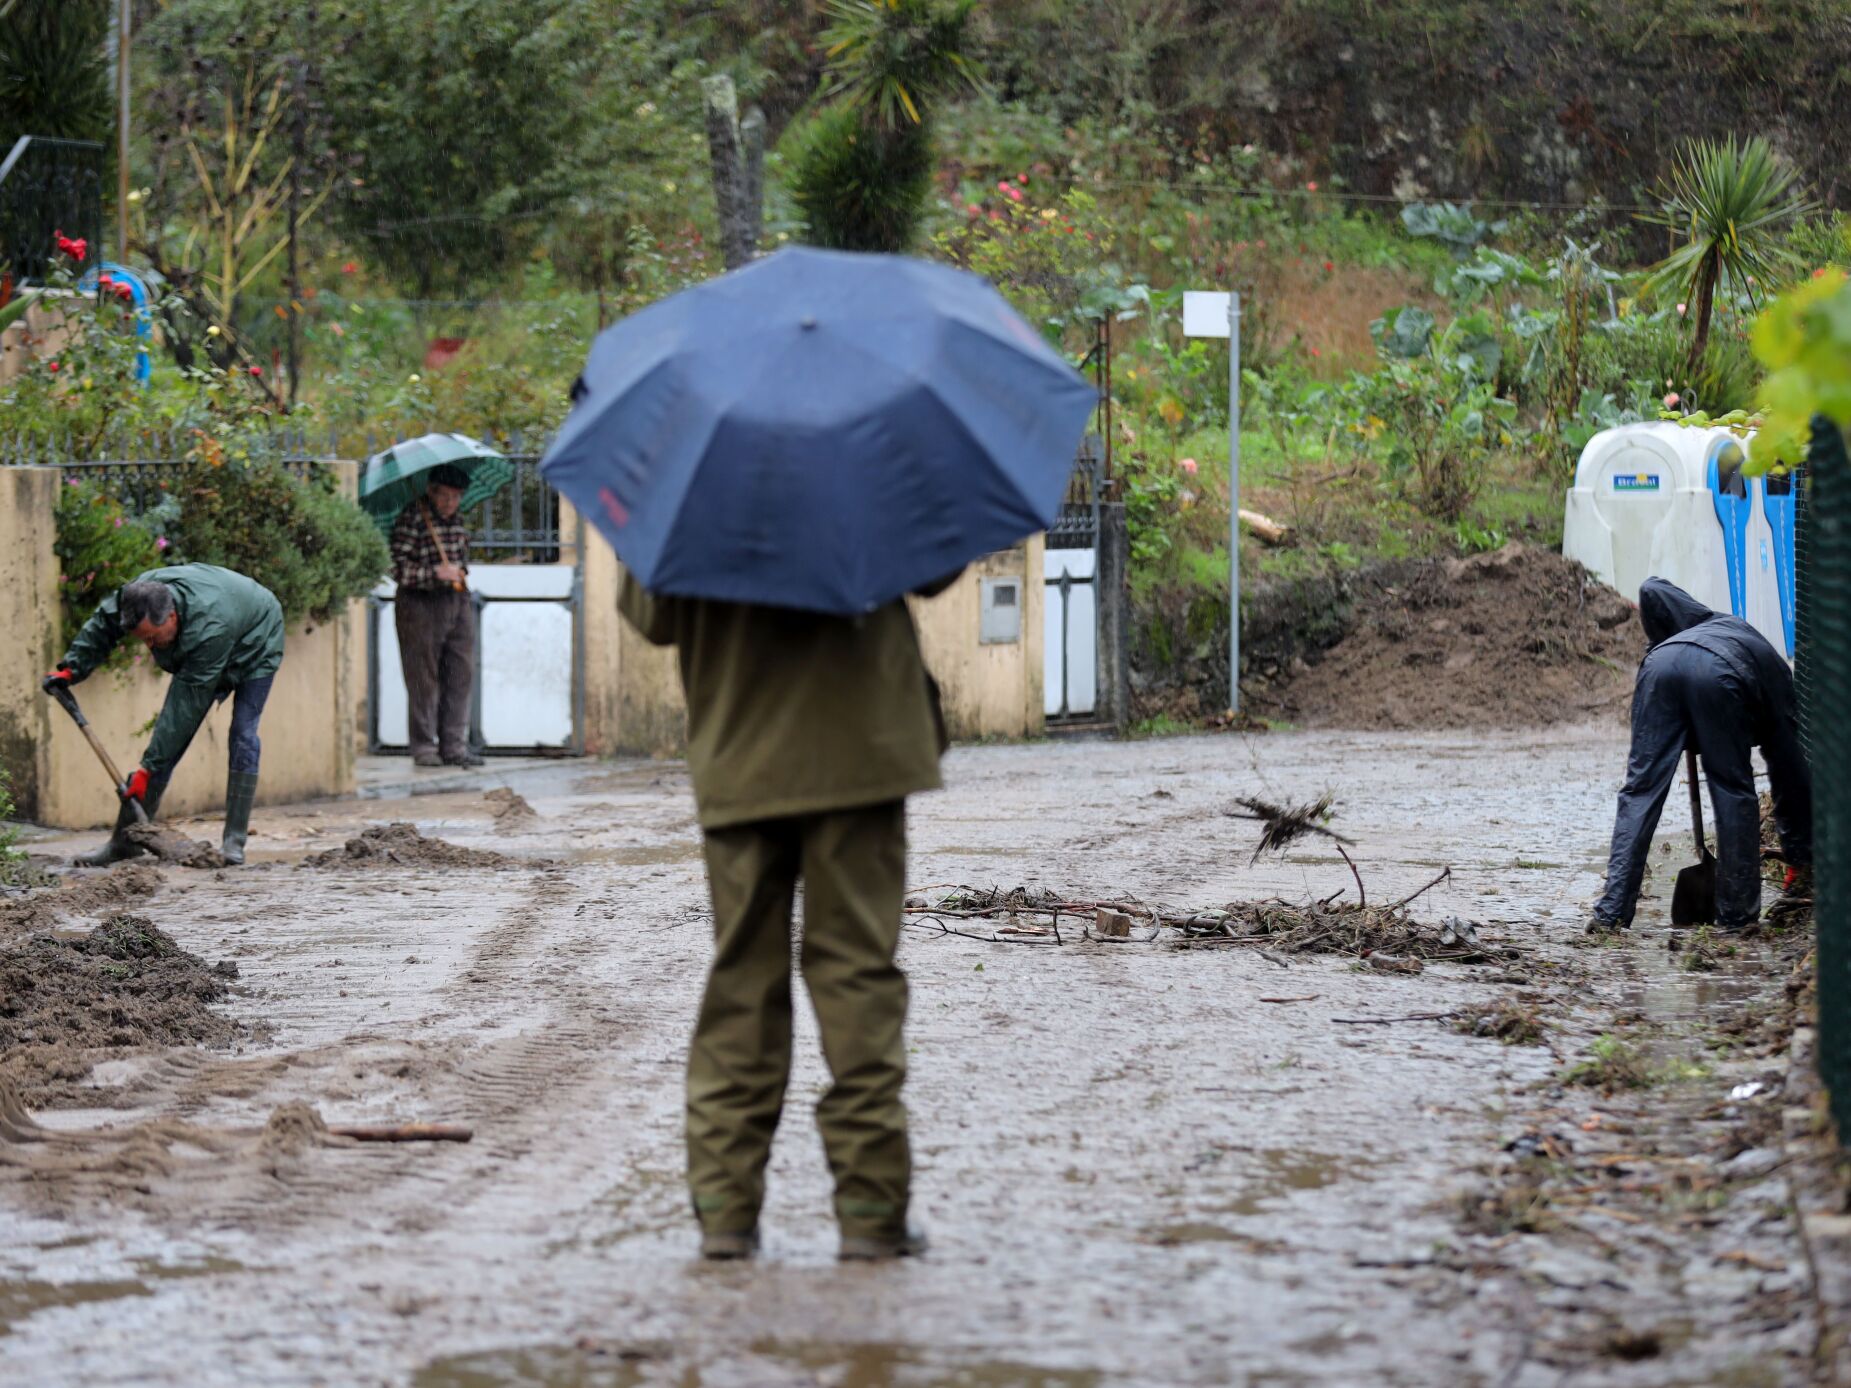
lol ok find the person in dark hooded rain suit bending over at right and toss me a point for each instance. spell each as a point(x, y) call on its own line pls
point(1715, 684)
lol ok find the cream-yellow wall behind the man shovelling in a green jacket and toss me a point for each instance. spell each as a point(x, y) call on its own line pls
point(308, 732)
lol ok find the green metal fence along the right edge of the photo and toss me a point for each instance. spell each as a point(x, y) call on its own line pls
point(1822, 673)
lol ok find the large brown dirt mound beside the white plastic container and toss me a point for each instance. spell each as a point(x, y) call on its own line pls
point(1511, 639)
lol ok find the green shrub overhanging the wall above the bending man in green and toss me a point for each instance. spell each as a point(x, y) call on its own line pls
point(301, 539)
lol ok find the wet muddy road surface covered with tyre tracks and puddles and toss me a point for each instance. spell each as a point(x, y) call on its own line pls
point(1137, 1165)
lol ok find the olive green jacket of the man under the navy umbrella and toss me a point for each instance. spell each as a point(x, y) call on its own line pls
point(797, 713)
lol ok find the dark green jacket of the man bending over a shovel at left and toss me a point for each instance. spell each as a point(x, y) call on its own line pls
point(230, 634)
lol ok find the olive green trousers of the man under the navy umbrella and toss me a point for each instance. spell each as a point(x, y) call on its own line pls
point(852, 865)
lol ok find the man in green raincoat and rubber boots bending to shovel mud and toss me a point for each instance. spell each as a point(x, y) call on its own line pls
point(217, 634)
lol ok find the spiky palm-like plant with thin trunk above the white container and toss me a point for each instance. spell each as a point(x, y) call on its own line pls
point(1730, 203)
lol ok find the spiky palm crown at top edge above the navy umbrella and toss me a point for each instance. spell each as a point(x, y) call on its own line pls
point(893, 58)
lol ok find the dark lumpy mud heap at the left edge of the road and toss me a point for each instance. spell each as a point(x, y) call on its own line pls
point(123, 985)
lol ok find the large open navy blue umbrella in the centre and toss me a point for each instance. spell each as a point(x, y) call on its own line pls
point(819, 430)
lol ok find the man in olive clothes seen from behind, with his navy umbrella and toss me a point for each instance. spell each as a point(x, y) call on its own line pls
point(780, 458)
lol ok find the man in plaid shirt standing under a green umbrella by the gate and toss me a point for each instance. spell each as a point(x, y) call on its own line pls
point(421, 488)
